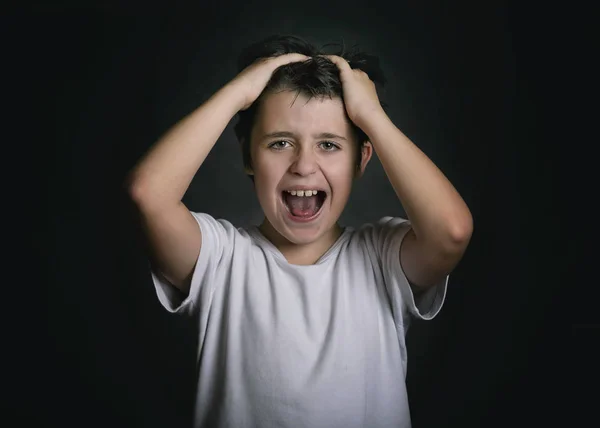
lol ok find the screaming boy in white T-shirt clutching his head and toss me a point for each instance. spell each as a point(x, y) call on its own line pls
point(302, 321)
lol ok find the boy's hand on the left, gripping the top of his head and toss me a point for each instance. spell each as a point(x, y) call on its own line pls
point(253, 79)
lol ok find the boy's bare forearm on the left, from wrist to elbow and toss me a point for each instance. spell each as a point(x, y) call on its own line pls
point(164, 174)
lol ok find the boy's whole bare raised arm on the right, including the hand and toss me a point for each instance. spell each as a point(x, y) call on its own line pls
point(441, 221)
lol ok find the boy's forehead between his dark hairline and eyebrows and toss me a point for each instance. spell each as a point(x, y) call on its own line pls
point(293, 112)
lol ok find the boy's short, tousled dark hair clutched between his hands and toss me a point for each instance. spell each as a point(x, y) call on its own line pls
point(316, 78)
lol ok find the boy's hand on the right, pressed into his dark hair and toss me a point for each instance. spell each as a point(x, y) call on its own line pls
point(360, 94)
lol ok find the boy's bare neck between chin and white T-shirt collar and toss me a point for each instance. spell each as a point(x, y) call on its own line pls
point(301, 254)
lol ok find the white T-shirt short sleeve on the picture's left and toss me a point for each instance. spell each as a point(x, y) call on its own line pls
point(216, 250)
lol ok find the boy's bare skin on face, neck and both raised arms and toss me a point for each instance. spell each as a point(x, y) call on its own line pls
point(441, 221)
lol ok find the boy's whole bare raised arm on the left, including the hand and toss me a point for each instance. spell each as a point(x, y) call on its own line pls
point(159, 181)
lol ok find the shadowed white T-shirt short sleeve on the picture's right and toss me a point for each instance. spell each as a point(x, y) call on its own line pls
point(390, 234)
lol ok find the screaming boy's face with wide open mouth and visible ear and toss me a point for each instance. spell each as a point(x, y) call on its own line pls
point(301, 144)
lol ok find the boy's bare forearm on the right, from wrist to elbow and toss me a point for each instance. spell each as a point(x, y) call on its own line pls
point(437, 212)
